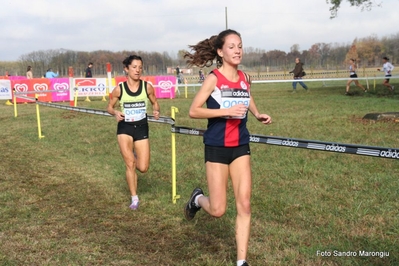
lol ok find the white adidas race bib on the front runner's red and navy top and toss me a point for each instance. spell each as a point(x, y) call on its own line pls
point(232, 97)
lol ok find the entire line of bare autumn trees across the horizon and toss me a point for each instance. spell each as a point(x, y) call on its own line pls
point(367, 51)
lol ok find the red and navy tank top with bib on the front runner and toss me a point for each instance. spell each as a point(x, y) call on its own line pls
point(228, 131)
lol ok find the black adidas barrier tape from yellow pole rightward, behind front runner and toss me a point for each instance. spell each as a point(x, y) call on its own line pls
point(382, 152)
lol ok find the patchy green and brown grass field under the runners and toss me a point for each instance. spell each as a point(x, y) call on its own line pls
point(64, 199)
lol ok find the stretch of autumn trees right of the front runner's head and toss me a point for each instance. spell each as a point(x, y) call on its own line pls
point(367, 51)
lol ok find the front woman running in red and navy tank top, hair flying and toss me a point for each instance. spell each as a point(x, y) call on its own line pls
point(226, 139)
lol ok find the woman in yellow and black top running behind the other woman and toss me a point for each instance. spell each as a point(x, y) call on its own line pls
point(132, 129)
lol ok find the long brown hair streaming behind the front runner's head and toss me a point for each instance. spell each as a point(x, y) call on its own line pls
point(206, 51)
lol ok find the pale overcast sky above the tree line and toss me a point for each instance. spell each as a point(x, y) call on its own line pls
point(170, 26)
